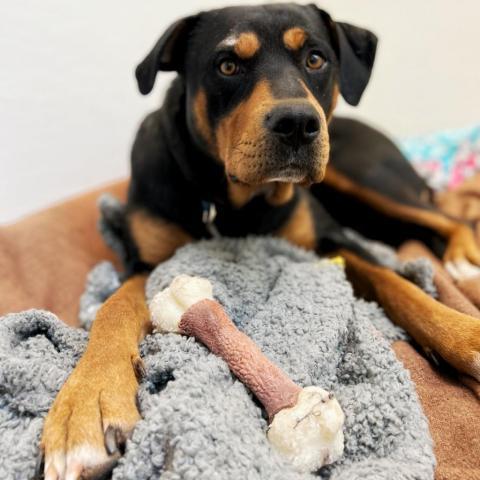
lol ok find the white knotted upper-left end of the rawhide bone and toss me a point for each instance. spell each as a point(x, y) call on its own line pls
point(168, 306)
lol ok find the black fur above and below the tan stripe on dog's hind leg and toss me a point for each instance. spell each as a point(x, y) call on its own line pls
point(373, 161)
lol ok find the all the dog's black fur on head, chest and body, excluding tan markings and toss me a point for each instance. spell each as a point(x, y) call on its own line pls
point(172, 172)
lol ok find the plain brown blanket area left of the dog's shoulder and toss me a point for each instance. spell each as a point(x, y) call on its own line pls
point(45, 257)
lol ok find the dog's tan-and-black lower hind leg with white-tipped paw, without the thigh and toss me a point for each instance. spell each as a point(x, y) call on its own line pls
point(378, 216)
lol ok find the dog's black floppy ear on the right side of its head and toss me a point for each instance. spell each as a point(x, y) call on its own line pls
point(355, 48)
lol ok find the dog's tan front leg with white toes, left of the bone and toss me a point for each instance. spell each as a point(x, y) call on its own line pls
point(96, 408)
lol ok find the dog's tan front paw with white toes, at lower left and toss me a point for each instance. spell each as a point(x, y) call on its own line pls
point(93, 415)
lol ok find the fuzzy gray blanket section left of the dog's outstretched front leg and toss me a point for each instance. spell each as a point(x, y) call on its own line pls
point(37, 353)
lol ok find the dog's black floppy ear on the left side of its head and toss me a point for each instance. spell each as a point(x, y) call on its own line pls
point(167, 54)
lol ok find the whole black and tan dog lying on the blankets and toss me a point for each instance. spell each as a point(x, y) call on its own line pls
point(246, 131)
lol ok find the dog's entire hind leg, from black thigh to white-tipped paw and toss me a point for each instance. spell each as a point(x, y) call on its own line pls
point(371, 187)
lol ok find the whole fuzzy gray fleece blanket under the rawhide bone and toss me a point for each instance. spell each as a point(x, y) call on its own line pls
point(199, 421)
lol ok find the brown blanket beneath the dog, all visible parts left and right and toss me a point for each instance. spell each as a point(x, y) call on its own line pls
point(45, 257)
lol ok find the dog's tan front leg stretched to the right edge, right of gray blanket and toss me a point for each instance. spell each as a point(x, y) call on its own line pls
point(451, 334)
